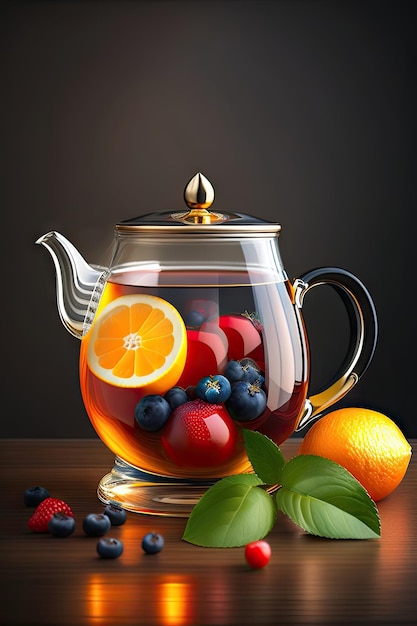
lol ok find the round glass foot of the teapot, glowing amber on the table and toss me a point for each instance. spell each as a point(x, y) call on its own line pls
point(141, 492)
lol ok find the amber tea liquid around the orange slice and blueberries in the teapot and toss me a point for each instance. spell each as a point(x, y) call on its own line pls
point(230, 316)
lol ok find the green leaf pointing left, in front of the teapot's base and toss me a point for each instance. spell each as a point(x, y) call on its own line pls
point(232, 512)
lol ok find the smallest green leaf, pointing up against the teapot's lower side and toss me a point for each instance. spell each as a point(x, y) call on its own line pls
point(266, 458)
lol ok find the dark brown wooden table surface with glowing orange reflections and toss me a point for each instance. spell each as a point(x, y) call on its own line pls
point(46, 580)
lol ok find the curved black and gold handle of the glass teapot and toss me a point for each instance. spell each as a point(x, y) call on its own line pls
point(363, 334)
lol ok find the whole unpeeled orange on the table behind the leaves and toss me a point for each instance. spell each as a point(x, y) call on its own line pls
point(365, 442)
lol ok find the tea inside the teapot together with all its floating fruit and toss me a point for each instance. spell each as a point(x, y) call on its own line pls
point(173, 368)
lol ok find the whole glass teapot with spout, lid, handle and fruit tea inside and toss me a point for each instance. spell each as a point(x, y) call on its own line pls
point(193, 333)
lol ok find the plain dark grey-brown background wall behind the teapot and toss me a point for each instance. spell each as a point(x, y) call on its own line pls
point(303, 112)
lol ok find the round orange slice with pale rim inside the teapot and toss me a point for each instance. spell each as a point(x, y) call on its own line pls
point(138, 341)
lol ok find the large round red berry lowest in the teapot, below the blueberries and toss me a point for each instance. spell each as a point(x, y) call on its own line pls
point(199, 434)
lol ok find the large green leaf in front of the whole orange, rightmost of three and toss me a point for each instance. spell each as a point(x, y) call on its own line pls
point(324, 499)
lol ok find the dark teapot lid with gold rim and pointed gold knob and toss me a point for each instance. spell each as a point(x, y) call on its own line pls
point(199, 197)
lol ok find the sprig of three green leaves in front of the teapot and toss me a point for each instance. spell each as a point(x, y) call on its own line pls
point(319, 495)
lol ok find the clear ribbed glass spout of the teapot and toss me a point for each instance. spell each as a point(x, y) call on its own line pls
point(78, 284)
